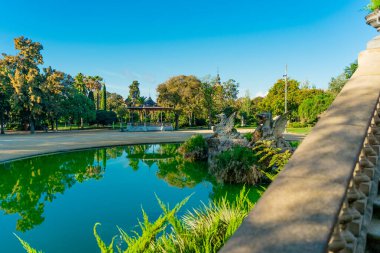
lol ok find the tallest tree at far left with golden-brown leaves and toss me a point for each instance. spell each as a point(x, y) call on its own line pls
point(25, 78)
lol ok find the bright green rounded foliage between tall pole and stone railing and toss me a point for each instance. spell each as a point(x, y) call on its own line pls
point(311, 108)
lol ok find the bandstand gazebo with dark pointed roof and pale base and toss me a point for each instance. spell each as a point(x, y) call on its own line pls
point(150, 117)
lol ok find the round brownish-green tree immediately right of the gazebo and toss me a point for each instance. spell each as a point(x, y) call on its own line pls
point(182, 93)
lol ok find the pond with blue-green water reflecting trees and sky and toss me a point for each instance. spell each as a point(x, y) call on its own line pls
point(53, 201)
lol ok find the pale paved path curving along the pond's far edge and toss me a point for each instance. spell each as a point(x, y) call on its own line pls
point(15, 146)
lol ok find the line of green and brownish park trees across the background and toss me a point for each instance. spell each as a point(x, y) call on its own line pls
point(34, 97)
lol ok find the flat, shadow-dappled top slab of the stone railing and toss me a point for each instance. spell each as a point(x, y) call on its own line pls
point(300, 208)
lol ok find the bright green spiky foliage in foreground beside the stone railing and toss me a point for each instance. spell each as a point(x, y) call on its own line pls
point(202, 230)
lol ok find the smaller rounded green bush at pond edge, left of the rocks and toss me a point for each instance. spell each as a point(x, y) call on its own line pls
point(194, 149)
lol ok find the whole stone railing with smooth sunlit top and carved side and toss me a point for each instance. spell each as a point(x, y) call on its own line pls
point(323, 200)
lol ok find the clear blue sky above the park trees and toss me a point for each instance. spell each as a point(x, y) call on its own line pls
point(249, 41)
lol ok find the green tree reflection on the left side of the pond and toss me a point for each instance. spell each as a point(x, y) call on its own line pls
point(26, 185)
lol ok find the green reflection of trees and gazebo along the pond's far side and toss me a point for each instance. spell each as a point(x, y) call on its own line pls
point(27, 185)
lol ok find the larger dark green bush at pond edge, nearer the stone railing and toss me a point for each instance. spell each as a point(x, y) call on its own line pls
point(236, 165)
